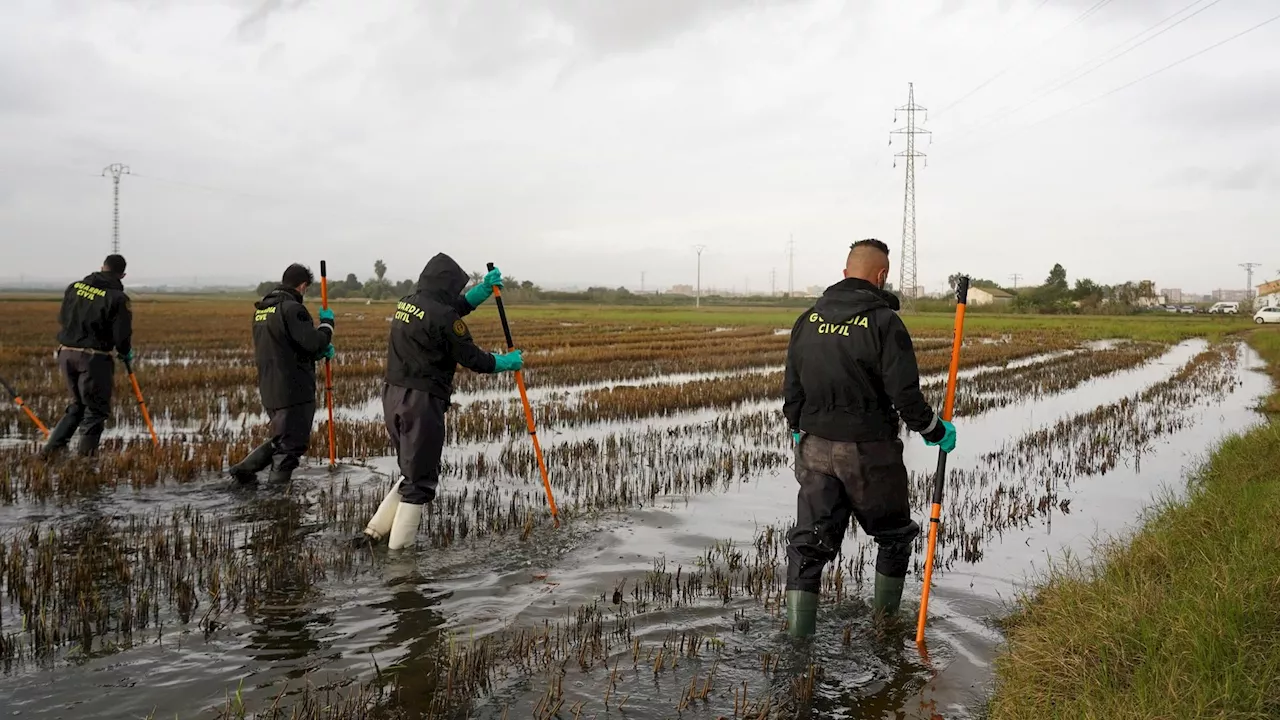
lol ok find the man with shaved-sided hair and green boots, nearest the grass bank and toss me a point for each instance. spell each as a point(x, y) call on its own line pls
point(852, 379)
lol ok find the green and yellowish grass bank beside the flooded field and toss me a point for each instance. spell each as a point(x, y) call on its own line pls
point(1181, 622)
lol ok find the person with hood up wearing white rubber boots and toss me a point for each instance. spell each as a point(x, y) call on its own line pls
point(429, 340)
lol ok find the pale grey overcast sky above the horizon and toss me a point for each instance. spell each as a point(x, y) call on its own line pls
point(587, 142)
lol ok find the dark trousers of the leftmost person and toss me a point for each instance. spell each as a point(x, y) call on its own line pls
point(89, 379)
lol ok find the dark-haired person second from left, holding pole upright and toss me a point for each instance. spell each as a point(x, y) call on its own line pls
point(286, 345)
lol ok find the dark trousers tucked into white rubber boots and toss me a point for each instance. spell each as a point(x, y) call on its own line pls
point(415, 423)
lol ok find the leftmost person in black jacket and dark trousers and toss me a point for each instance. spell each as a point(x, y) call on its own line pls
point(95, 320)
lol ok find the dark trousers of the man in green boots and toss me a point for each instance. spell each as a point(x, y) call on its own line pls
point(840, 480)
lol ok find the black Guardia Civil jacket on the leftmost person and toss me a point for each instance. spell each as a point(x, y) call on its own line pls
point(97, 316)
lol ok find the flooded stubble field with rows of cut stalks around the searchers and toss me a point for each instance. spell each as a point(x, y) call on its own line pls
point(144, 586)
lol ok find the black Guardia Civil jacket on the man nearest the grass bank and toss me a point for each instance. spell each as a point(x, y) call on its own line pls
point(852, 370)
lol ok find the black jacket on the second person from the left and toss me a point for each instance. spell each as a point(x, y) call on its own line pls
point(286, 345)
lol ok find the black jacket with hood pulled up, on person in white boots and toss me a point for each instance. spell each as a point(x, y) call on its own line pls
point(429, 339)
